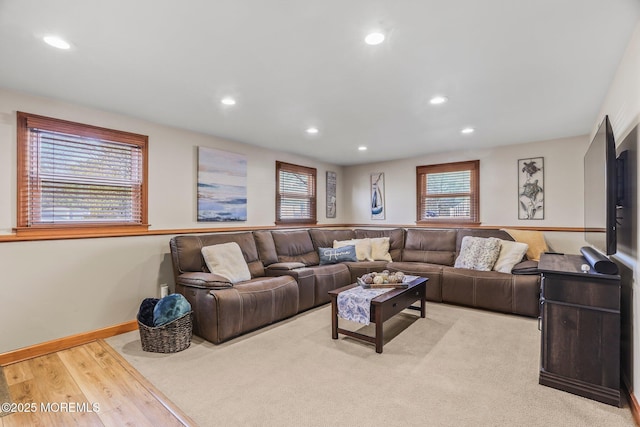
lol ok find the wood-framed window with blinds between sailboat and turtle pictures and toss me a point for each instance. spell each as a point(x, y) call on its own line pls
point(448, 192)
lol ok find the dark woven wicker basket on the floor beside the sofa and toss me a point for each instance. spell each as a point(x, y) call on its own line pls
point(169, 338)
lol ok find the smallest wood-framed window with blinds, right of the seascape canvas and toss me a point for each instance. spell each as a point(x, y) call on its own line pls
point(295, 194)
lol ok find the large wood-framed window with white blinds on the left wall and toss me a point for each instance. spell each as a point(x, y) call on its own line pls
point(71, 174)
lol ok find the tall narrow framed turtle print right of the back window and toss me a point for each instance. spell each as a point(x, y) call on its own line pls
point(531, 188)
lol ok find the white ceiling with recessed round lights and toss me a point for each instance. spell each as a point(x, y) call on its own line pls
point(516, 70)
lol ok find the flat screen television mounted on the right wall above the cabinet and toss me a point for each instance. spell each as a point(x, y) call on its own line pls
point(600, 190)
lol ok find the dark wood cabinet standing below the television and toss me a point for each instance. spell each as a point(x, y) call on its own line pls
point(580, 325)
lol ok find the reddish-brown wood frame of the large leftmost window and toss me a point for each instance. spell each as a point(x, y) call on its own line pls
point(26, 121)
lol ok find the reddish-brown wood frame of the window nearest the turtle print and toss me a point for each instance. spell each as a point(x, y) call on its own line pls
point(474, 167)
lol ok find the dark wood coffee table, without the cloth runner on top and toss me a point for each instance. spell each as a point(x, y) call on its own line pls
point(383, 307)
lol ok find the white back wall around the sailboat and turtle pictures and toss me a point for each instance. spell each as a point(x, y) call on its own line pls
point(563, 185)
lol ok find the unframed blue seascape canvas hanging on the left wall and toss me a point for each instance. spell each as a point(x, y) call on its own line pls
point(222, 185)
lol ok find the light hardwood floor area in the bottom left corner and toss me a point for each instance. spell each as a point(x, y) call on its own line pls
point(98, 387)
